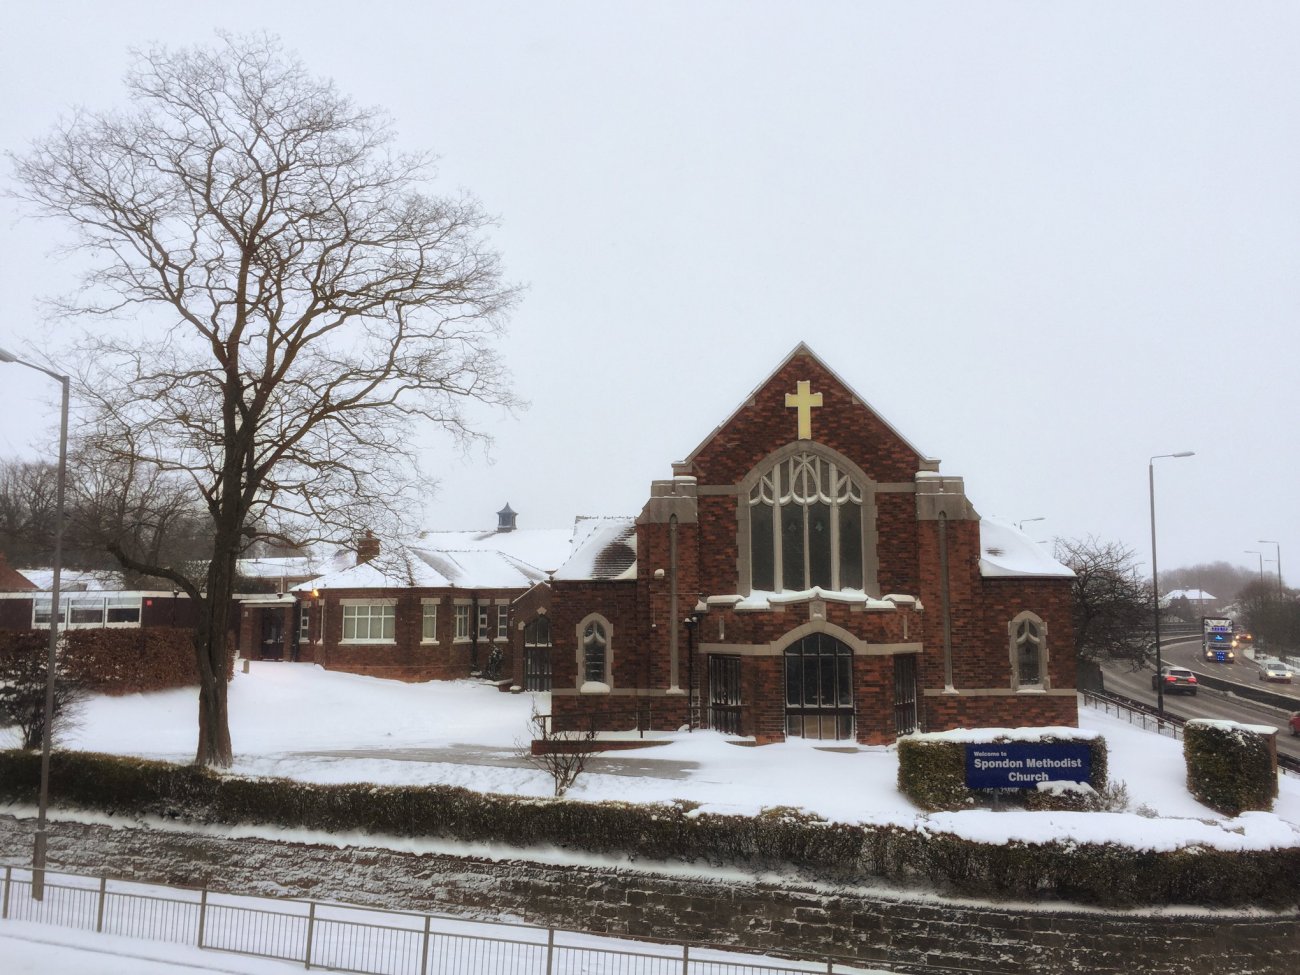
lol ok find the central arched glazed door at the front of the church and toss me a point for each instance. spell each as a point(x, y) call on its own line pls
point(820, 688)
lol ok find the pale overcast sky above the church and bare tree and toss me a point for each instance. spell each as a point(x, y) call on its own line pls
point(1045, 241)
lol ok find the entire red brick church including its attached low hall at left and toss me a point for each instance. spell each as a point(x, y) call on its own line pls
point(807, 571)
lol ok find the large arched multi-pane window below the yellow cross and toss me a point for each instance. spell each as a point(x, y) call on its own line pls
point(805, 526)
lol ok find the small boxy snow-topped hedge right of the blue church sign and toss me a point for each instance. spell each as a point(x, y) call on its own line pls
point(1232, 768)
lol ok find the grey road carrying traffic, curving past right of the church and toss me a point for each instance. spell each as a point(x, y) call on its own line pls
point(1210, 703)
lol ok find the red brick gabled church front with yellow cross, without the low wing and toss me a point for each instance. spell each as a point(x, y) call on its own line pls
point(807, 571)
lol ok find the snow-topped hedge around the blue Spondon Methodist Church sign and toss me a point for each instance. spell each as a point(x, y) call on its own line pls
point(933, 769)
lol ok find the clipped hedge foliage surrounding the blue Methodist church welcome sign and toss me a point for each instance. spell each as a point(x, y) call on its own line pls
point(933, 774)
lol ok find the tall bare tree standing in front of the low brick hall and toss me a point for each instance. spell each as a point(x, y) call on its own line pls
point(301, 301)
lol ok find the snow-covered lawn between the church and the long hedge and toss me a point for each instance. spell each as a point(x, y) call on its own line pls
point(305, 723)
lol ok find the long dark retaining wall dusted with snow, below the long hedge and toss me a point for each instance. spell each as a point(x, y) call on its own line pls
point(904, 933)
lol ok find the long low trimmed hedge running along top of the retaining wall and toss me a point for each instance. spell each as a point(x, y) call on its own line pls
point(1103, 874)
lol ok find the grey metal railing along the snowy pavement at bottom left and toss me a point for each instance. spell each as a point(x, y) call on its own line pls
point(365, 941)
